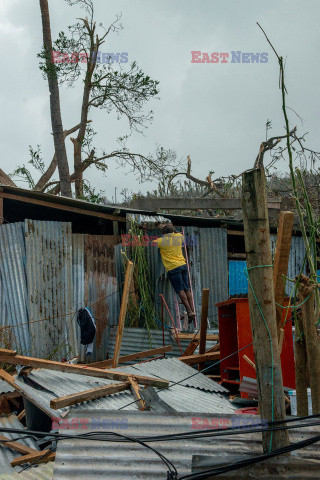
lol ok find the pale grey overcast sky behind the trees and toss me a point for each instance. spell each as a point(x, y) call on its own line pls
point(215, 112)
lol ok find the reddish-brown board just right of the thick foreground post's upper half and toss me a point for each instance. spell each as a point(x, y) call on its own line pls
point(281, 260)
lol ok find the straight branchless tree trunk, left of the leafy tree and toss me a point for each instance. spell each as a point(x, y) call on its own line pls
point(56, 122)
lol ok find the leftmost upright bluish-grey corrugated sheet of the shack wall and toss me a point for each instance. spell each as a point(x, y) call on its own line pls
point(13, 289)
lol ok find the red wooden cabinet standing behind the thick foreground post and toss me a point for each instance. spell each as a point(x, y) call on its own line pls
point(235, 334)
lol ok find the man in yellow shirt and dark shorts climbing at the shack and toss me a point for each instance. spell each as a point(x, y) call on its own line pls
point(170, 246)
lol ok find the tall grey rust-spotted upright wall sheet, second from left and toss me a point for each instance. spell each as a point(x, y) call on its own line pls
point(49, 277)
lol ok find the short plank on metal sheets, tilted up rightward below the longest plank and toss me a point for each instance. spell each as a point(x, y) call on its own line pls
point(88, 395)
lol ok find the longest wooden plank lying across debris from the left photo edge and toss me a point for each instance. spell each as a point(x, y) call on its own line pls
point(81, 370)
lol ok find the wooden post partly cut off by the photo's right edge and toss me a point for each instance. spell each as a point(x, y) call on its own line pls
point(307, 295)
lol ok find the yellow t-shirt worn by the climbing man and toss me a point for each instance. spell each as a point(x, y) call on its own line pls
point(170, 246)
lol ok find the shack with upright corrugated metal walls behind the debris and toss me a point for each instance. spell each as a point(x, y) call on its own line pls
point(60, 254)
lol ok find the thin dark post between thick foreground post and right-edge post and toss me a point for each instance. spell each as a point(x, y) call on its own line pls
point(301, 369)
